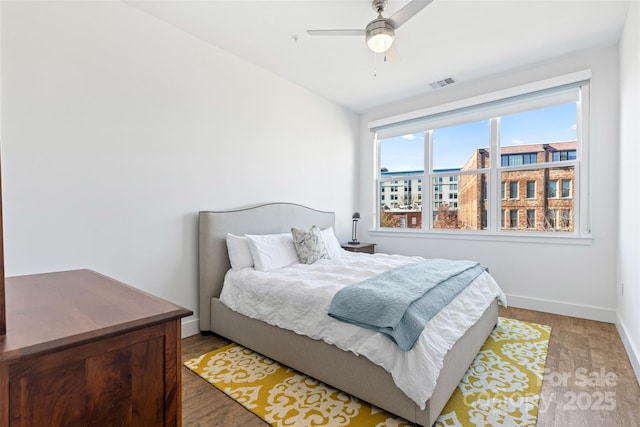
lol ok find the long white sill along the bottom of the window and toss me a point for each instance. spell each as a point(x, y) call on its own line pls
point(520, 237)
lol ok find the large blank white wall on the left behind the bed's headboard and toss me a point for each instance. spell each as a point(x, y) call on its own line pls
point(117, 129)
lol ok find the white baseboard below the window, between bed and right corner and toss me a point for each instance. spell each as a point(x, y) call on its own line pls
point(574, 310)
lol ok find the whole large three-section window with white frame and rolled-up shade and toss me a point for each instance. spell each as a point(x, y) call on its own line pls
point(539, 139)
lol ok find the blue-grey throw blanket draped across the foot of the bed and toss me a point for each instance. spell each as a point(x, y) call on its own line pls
point(400, 301)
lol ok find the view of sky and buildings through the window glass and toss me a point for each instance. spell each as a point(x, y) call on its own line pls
point(536, 174)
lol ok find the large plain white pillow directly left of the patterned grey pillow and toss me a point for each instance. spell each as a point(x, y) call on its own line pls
point(272, 251)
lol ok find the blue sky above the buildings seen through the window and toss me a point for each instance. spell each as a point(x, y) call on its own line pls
point(551, 124)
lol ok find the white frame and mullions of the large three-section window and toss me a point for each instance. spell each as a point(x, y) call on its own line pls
point(494, 231)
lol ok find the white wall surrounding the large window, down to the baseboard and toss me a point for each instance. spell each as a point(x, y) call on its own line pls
point(576, 280)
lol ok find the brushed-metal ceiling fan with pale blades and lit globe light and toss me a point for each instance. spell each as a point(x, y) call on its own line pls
point(380, 33)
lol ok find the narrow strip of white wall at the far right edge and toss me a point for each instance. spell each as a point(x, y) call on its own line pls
point(629, 177)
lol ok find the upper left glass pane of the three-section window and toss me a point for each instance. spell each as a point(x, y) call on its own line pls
point(402, 153)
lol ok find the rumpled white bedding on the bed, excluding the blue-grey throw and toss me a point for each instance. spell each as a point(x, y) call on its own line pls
point(297, 298)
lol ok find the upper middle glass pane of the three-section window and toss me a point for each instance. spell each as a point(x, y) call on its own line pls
point(463, 146)
